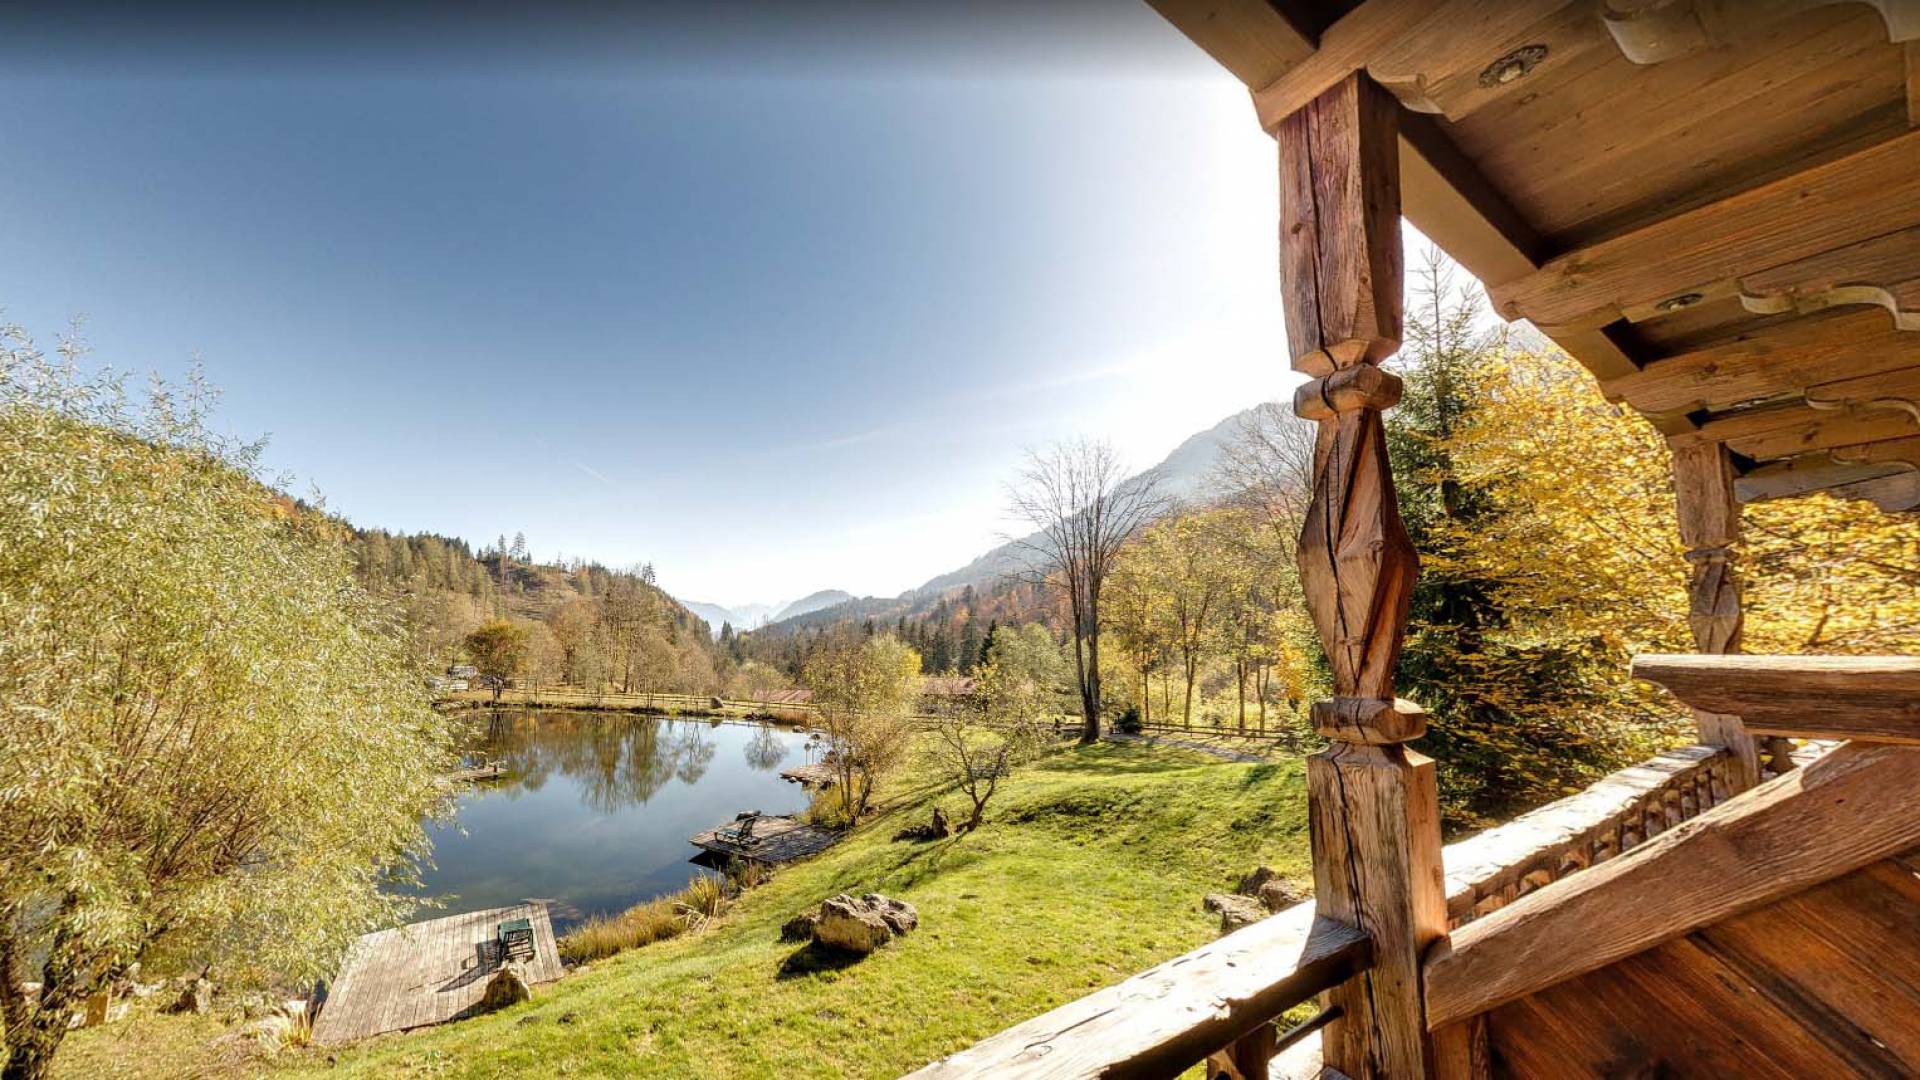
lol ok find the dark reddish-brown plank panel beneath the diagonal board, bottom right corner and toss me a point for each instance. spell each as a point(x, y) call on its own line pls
point(1825, 983)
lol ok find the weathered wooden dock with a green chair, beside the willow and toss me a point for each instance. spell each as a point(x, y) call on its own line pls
point(427, 973)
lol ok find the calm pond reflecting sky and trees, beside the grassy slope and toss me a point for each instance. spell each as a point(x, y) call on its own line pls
point(596, 808)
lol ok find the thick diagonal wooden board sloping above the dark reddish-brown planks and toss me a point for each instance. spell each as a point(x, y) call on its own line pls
point(1835, 816)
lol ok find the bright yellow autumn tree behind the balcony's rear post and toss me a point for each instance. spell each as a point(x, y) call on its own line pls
point(1581, 552)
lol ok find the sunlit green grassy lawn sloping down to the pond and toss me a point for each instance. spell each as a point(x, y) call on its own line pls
point(1092, 868)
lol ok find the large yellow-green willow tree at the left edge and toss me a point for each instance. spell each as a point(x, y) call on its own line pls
point(212, 749)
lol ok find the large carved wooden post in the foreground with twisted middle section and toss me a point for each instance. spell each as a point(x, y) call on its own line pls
point(1374, 804)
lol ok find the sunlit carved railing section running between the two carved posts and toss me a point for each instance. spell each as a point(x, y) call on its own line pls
point(1508, 862)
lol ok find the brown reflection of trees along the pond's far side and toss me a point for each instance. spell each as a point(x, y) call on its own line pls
point(619, 762)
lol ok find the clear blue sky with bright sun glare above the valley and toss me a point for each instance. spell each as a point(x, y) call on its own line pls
point(773, 303)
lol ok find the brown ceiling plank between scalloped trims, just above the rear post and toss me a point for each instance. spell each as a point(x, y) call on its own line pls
point(1783, 360)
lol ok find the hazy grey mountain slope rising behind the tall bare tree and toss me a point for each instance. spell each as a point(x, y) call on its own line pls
point(1184, 476)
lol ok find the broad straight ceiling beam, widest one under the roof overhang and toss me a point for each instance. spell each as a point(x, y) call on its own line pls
point(1829, 207)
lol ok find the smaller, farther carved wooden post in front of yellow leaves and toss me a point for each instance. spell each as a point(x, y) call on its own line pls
point(1710, 528)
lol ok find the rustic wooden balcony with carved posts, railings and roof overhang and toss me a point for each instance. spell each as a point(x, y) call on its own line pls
point(1716, 209)
